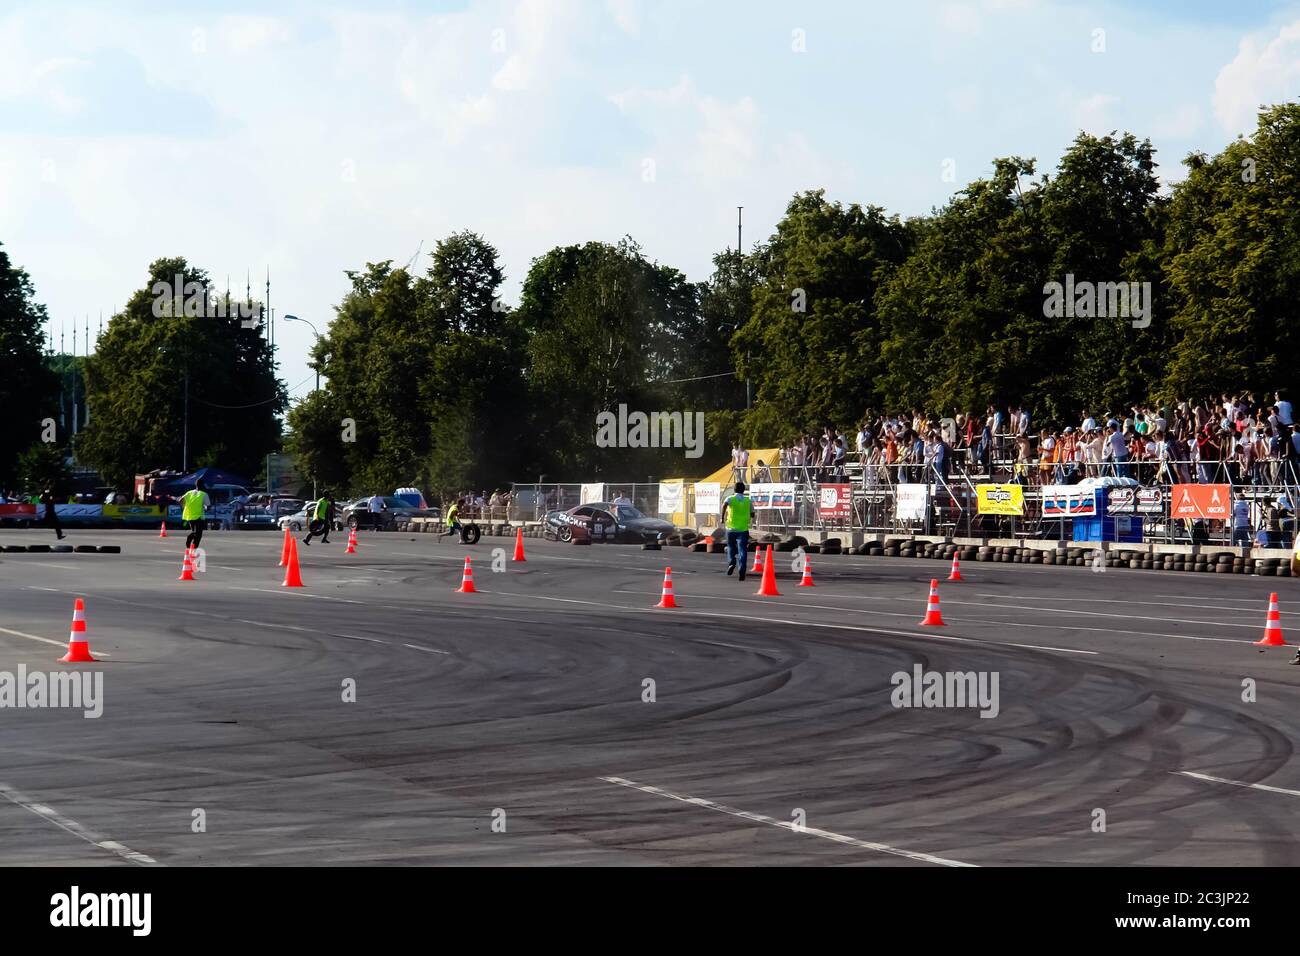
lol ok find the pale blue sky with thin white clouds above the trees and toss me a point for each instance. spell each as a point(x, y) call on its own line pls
point(315, 137)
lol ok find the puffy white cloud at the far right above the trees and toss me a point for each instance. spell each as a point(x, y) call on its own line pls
point(1263, 72)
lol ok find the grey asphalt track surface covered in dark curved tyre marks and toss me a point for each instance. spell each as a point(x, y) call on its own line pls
point(226, 695)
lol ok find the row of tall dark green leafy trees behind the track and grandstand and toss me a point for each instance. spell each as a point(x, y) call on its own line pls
point(430, 379)
